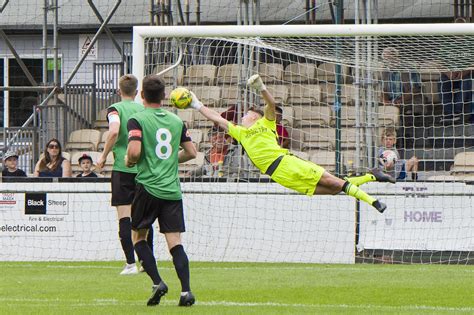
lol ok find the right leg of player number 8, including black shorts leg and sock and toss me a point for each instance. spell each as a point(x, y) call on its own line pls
point(171, 220)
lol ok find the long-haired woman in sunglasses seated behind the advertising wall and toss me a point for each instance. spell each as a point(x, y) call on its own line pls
point(52, 163)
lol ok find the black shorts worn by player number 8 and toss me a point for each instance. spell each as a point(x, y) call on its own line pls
point(146, 208)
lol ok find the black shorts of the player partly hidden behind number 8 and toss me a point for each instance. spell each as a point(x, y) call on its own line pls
point(123, 188)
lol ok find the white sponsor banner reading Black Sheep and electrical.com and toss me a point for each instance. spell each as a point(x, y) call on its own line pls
point(38, 214)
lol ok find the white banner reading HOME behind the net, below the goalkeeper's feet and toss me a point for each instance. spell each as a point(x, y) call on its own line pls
point(418, 221)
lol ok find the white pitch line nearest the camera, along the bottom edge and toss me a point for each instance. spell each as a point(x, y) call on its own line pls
point(115, 302)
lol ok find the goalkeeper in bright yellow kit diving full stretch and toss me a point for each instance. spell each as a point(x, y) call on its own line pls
point(258, 137)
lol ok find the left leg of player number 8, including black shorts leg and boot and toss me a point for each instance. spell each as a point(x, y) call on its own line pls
point(144, 212)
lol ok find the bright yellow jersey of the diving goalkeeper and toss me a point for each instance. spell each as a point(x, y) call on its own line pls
point(259, 141)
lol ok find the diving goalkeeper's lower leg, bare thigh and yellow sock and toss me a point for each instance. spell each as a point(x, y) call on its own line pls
point(330, 184)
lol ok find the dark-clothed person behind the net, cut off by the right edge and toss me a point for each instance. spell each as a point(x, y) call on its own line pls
point(456, 96)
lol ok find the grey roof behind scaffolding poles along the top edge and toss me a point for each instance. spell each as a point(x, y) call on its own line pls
point(78, 14)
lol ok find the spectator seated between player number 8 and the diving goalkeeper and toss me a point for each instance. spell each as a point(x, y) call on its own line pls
point(223, 159)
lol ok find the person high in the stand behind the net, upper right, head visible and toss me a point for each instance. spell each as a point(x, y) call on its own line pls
point(401, 88)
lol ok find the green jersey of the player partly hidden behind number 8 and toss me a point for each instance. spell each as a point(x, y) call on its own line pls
point(125, 109)
